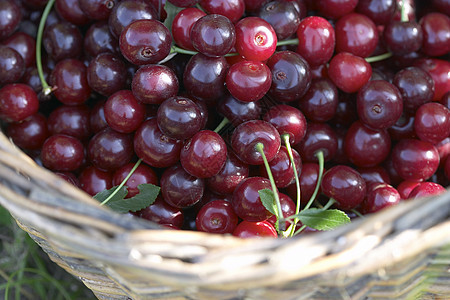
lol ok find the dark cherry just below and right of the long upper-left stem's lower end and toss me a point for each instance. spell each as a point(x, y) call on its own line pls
point(70, 120)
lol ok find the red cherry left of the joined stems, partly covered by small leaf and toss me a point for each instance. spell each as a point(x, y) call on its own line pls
point(246, 201)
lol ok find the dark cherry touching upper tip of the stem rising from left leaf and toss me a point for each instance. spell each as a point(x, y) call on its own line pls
point(155, 148)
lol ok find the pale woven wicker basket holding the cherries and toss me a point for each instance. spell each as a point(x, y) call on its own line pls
point(402, 252)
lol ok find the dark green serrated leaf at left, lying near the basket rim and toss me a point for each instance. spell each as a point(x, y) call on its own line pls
point(147, 195)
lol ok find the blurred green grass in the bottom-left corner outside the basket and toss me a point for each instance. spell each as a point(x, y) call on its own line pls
point(26, 272)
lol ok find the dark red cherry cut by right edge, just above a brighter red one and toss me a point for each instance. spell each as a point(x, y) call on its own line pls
point(436, 34)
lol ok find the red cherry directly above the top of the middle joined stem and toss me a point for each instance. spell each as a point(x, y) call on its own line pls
point(287, 120)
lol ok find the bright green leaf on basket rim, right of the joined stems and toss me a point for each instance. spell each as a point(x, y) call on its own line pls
point(323, 219)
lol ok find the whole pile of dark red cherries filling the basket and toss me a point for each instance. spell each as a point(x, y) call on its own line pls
point(204, 94)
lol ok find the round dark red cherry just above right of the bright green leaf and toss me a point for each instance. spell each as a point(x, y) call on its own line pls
point(345, 185)
